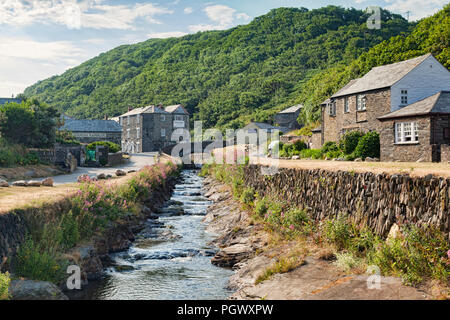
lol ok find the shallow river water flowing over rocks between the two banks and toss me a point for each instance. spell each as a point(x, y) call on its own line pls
point(171, 258)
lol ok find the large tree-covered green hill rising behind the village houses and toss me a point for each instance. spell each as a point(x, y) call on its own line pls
point(224, 78)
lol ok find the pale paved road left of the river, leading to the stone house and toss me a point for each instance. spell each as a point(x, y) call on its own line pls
point(136, 162)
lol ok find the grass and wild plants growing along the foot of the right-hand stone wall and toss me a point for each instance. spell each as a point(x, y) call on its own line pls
point(420, 254)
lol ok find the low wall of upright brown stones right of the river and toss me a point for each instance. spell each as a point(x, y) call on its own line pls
point(379, 200)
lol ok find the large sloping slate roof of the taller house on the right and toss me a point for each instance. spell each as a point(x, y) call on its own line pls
point(381, 77)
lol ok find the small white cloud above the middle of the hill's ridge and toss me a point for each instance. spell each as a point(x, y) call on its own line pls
point(223, 17)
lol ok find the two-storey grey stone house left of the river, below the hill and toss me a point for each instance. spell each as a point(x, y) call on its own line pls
point(149, 129)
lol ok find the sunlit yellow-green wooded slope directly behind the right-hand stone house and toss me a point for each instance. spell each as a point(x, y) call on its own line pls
point(430, 35)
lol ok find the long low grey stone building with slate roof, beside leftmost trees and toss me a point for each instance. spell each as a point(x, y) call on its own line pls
point(87, 131)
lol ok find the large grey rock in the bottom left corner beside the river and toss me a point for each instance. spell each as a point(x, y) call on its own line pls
point(35, 290)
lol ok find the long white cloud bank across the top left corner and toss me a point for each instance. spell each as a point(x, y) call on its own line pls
point(75, 15)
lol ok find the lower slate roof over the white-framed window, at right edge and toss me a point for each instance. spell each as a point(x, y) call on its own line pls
point(438, 103)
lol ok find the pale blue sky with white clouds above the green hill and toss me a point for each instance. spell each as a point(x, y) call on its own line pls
point(42, 38)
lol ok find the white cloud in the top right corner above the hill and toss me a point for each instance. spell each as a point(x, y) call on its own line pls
point(418, 8)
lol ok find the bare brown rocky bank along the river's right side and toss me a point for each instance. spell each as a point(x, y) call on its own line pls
point(245, 247)
